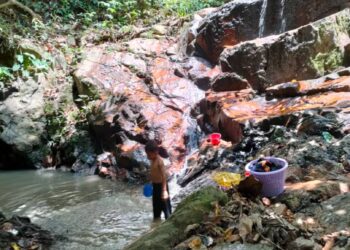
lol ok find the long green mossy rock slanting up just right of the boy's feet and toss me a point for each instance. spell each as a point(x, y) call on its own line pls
point(192, 210)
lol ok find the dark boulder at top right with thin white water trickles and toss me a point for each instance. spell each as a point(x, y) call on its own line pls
point(245, 20)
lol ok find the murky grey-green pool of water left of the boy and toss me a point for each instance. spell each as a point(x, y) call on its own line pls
point(89, 212)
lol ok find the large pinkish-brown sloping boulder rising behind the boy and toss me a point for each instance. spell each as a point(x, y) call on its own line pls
point(144, 96)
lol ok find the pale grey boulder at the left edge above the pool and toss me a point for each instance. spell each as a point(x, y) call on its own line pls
point(22, 125)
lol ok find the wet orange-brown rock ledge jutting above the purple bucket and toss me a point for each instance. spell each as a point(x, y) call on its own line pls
point(229, 111)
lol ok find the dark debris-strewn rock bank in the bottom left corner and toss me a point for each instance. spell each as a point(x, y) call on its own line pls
point(19, 233)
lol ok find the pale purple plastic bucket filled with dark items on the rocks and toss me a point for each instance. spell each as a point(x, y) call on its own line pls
point(273, 182)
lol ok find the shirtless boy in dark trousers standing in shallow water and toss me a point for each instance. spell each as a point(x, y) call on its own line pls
point(158, 177)
